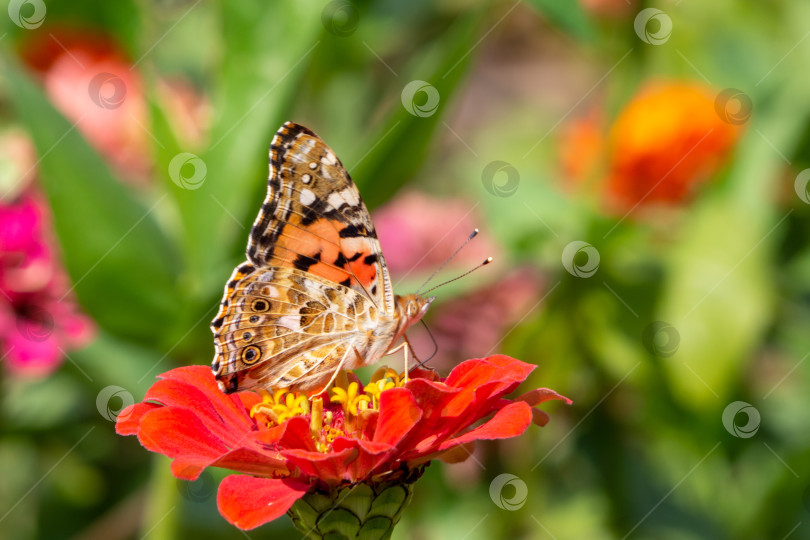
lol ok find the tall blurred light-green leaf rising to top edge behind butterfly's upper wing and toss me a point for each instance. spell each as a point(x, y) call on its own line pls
point(251, 94)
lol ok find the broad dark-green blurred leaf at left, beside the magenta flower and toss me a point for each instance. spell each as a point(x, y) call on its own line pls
point(121, 264)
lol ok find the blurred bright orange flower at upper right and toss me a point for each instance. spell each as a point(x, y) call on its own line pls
point(663, 145)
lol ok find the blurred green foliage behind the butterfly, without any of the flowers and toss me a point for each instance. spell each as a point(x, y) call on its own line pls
point(642, 453)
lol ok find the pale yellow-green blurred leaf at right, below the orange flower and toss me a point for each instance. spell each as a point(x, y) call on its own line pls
point(719, 294)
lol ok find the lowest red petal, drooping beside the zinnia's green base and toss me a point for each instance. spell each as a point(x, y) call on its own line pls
point(248, 502)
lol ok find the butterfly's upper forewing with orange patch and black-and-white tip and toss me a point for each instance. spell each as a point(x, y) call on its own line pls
point(314, 219)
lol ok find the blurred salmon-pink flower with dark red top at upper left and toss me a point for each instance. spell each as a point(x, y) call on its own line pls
point(92, 82)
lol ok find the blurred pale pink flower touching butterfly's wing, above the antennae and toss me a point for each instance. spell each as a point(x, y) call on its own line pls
point(418, 233)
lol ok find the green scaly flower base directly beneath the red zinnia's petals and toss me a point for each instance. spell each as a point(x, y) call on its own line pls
point(363, 511)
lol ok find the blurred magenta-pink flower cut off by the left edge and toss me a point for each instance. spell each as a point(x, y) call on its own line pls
point(39, 319)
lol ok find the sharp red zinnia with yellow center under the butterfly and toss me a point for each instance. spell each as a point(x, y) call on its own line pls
point(385, 432)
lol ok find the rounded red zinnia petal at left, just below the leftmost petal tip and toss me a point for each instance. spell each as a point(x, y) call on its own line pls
point(178, 432)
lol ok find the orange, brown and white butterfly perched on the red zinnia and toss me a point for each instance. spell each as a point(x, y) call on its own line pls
point(314, 296)
